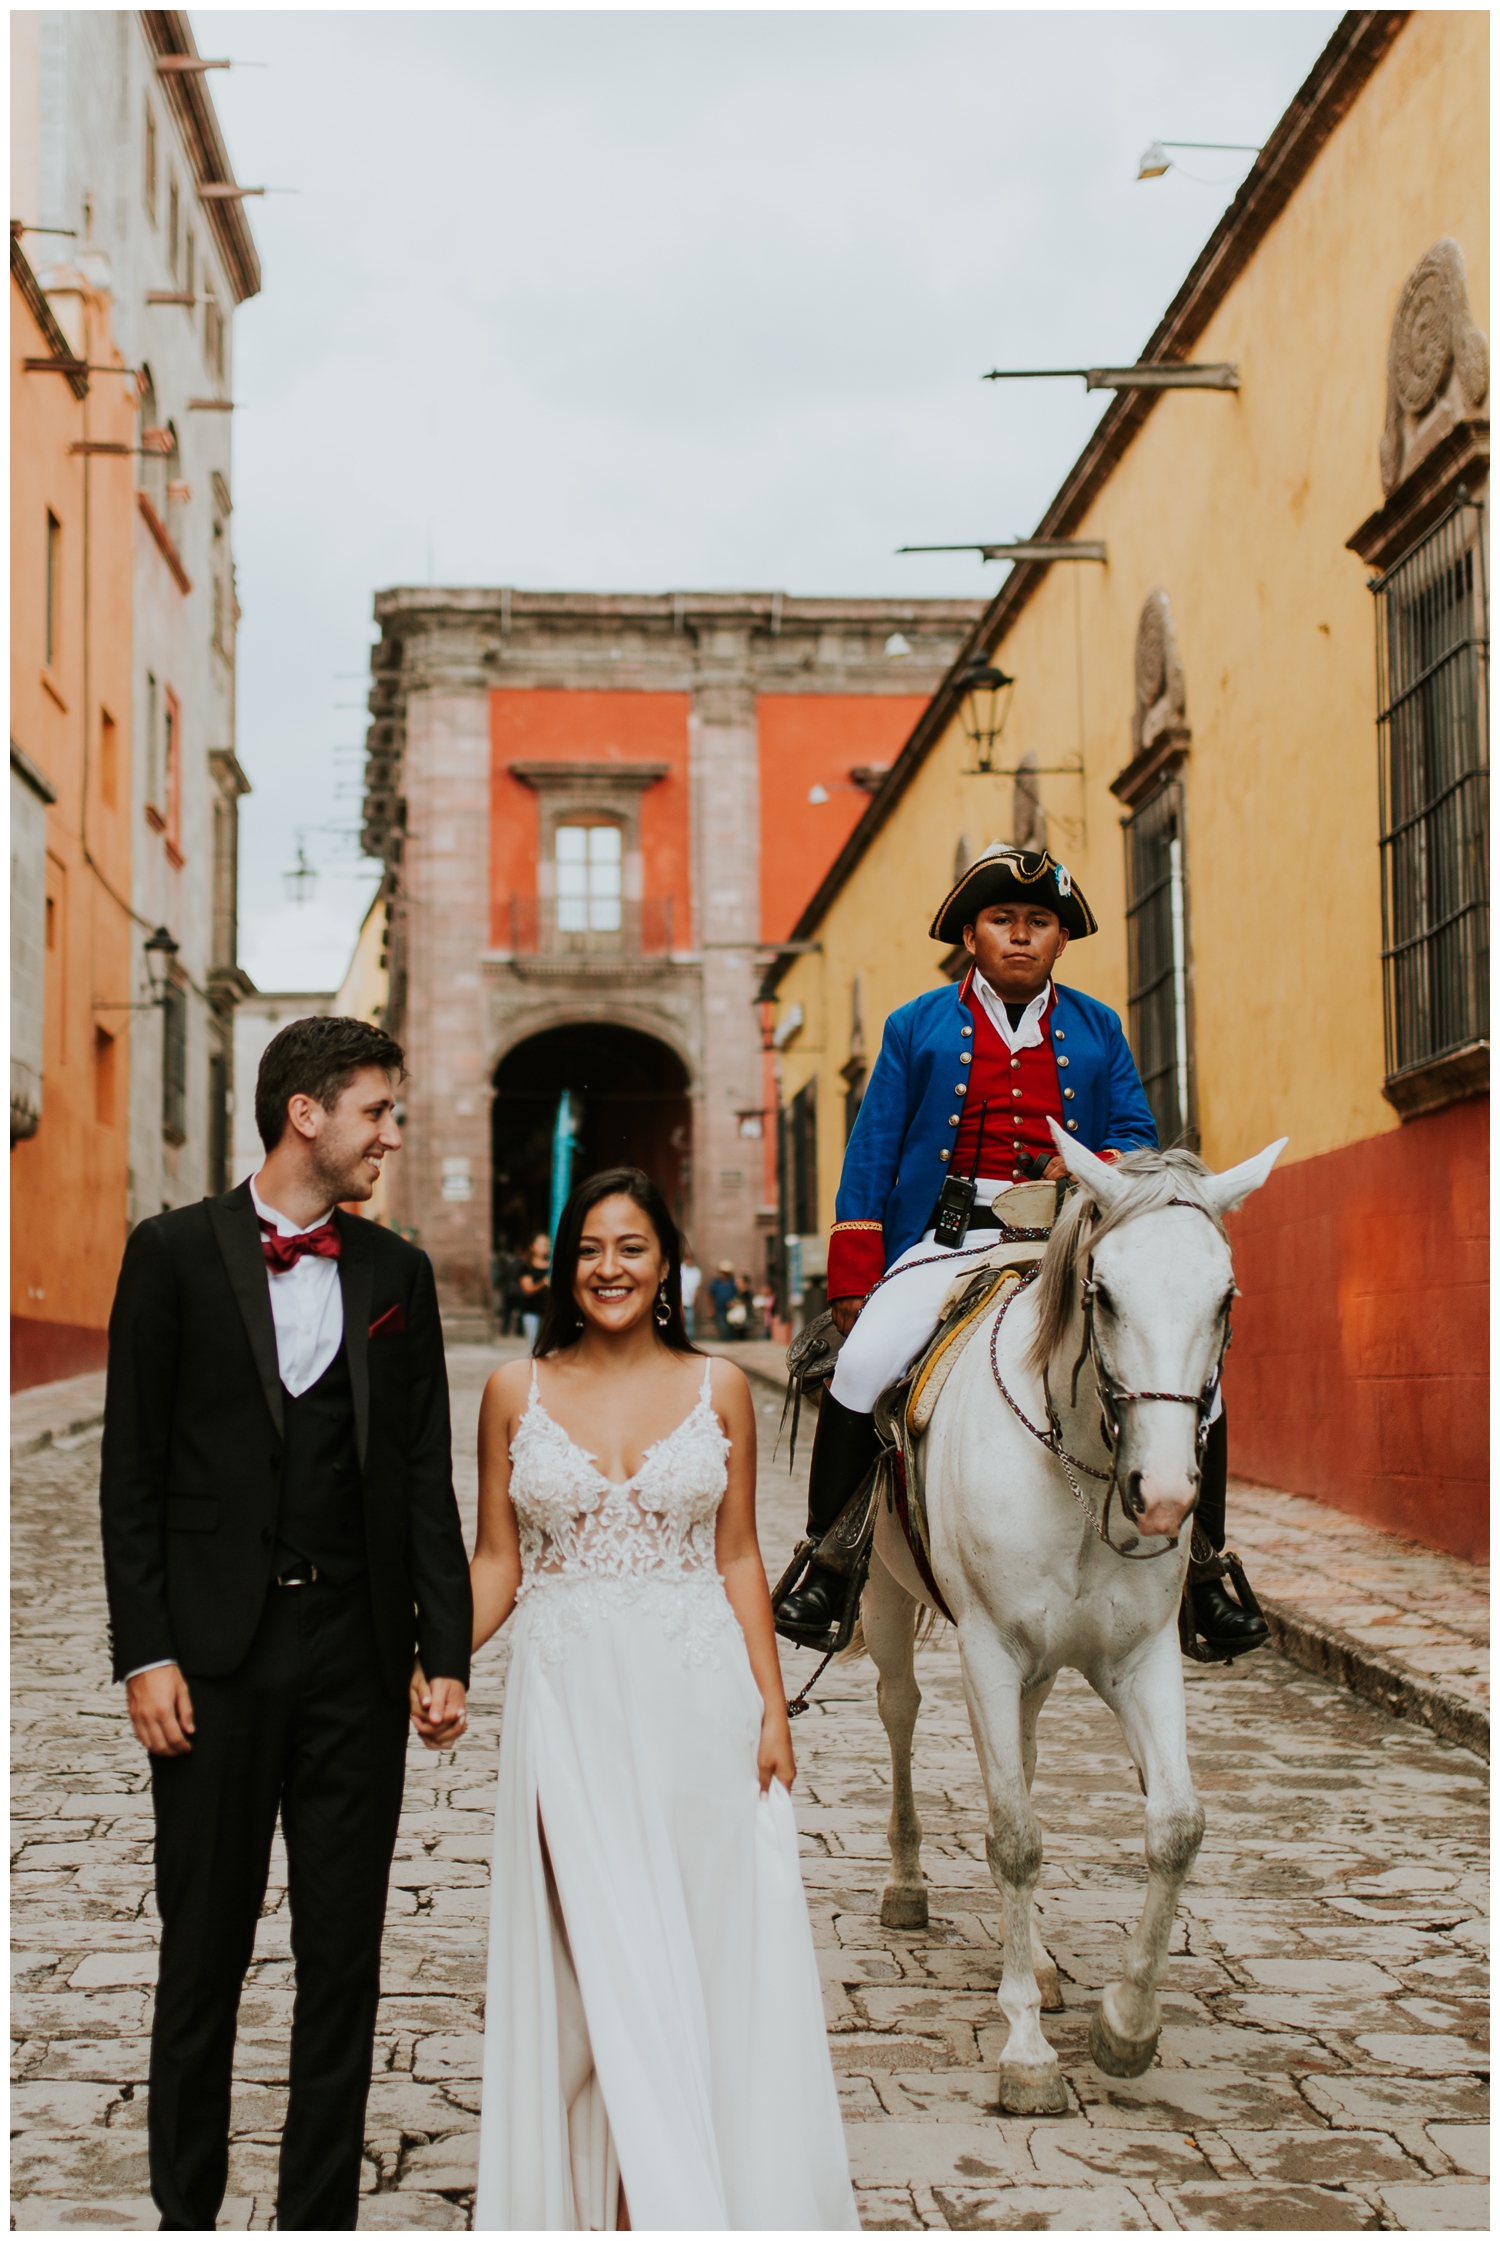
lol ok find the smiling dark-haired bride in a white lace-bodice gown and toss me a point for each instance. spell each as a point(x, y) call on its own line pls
point(656, 2049)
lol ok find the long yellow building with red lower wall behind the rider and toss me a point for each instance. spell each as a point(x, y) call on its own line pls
point(1254, 727)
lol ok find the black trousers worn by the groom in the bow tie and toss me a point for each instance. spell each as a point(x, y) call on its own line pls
point(308, 1729)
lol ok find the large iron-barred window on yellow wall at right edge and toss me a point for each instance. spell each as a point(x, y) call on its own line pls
point(1434, 687)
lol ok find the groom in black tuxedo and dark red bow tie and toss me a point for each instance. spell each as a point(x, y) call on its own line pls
point(286, 1565)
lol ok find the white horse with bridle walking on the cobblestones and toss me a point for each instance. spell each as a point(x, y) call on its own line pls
point(1113, 1352)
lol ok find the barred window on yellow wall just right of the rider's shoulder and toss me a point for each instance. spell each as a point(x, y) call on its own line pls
point(1158, 940)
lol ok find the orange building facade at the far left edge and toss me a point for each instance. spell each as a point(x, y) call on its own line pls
point(73, 521)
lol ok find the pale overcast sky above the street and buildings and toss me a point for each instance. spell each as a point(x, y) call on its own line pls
point(669, 301)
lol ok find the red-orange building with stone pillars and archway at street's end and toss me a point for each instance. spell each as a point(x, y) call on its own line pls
point(600, 812)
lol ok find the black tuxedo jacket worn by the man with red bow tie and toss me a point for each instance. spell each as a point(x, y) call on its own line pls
point(194, 1444)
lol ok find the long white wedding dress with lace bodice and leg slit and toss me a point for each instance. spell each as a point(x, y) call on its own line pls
point(663, 2023)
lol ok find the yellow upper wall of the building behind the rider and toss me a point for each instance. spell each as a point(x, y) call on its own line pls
point(1239, 505)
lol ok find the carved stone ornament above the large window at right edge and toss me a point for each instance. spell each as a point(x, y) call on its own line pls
point(1438, 364)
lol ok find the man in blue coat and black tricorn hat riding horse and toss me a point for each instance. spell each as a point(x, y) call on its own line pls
point(956, 1113)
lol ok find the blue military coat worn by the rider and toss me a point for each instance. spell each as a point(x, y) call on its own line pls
point(893, 1166)
